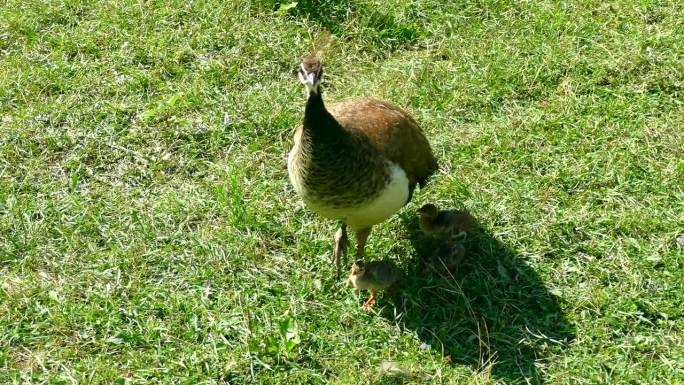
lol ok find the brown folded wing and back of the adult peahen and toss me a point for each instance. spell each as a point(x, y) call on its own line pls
point(393, 132)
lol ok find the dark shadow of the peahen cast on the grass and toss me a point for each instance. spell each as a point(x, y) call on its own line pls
point(492, 312)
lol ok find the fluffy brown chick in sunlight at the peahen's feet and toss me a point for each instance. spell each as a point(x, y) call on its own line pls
point(373, 276)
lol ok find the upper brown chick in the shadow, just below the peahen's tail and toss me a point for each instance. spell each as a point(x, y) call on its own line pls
point(445, 223)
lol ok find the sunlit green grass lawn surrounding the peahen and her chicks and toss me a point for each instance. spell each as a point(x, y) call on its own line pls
point(148, 233)
